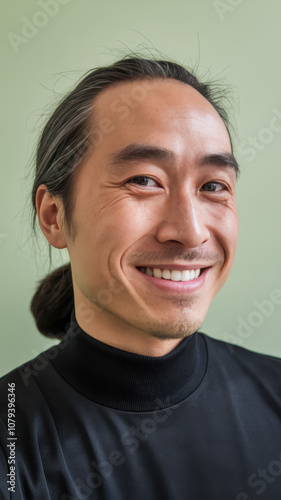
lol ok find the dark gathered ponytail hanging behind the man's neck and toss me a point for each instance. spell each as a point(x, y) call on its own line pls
point(53, 302)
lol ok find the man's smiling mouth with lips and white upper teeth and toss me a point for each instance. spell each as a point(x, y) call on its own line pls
point(175, 280)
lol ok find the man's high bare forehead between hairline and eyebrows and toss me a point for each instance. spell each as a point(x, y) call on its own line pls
point(164, 112)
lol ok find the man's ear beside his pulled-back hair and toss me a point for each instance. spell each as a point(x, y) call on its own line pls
point(50, 216)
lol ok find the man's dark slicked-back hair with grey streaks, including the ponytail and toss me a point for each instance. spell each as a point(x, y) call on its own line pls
point(66, 140)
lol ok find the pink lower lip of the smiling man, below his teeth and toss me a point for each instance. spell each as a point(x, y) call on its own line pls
point(177, 286)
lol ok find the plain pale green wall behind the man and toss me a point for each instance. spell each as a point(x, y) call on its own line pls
point(235, 41)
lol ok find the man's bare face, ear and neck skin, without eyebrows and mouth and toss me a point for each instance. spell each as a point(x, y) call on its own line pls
point(176, 218)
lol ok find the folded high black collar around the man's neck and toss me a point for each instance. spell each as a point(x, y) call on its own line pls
point(127, 381)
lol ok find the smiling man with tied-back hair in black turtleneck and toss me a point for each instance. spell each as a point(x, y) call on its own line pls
point(135, 176)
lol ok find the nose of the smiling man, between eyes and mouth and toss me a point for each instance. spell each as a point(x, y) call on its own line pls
point(184, 220)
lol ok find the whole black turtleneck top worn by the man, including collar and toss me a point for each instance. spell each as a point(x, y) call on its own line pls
point(96, 422)
